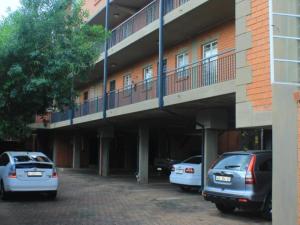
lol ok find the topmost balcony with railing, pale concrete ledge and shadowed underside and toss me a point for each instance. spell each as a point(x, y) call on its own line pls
point(136, 37)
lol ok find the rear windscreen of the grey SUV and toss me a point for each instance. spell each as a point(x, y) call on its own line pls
point(233, 162)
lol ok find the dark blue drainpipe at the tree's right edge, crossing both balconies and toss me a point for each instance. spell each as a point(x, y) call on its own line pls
point(105, 61)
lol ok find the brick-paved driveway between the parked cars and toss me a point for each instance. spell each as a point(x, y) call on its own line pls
point(86, 199)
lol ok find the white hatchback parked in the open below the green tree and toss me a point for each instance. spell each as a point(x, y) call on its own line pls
point(27, 172)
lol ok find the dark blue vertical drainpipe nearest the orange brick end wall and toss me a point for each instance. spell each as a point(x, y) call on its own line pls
point(161, 55)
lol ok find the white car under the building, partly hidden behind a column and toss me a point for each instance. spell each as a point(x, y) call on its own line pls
point(187, 173)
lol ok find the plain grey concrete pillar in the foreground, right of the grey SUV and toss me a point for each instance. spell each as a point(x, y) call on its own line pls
point(285, 156)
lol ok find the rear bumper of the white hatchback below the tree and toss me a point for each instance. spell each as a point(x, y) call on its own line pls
point(15, 185)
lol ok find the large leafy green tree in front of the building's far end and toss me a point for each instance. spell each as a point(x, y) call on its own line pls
point(44, 46)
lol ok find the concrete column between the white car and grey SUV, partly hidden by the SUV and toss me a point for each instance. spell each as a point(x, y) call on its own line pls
point(210, 149)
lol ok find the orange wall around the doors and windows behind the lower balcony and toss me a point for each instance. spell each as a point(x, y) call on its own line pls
point(224, 34)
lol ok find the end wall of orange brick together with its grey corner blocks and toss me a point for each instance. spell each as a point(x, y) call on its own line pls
point(254, 92)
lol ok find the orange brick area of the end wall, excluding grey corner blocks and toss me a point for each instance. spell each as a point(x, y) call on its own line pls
point(259, 92)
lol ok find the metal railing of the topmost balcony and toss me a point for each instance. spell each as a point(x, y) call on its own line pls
point(141, 19)
